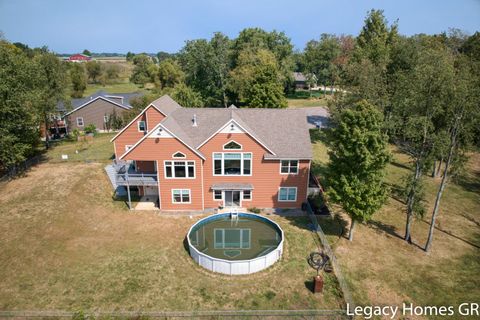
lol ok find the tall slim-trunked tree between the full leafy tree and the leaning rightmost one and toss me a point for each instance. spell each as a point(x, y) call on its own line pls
point(418, 105)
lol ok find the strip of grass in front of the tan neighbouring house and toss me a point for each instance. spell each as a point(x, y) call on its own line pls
point(100, 149)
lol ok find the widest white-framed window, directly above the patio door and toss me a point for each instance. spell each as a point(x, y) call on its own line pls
point(232, 164)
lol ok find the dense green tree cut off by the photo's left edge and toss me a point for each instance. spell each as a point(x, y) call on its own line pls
point(20, 85)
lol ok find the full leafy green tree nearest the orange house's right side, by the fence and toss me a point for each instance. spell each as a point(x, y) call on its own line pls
point(358, 157)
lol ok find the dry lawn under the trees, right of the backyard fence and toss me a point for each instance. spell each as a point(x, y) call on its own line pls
point(382, 269)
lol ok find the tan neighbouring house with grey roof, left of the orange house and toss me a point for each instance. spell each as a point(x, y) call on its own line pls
point(95, 109)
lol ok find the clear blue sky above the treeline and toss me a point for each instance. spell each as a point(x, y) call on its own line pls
point(67, 26)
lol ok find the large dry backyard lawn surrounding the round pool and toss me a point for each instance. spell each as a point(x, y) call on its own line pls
point(65, 244)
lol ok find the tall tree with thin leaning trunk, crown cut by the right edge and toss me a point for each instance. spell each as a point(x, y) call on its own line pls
point(462, 114)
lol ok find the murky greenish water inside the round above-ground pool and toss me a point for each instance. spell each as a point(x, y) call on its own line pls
point(242, 238)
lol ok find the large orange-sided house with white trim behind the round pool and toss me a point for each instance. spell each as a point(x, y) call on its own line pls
point(205, 158)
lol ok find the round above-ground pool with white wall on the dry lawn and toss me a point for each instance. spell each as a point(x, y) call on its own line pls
point(231, 245)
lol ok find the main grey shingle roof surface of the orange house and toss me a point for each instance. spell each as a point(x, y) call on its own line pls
point(283, 131)
